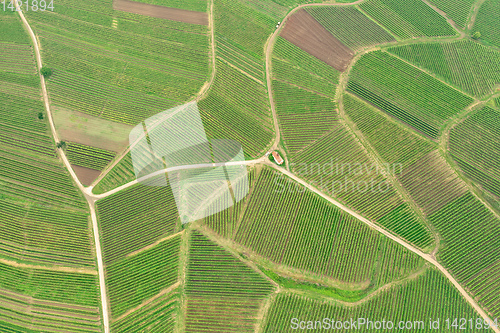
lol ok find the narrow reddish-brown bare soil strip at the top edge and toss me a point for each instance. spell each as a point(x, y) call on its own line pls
point(162, 12)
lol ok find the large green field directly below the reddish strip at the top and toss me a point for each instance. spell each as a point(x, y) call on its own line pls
point(117, 65)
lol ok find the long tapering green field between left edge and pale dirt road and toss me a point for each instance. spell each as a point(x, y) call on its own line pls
point(44, 219)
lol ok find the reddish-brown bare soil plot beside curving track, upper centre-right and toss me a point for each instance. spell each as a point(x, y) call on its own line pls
point(302, 30)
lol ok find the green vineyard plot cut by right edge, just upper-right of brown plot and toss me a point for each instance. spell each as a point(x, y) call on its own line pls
point(475, 146)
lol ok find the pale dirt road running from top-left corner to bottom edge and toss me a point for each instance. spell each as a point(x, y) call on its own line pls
point(63, 157)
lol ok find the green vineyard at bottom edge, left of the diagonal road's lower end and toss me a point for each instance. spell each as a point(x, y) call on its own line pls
point(427, 293)
